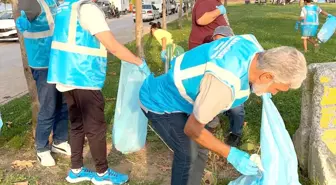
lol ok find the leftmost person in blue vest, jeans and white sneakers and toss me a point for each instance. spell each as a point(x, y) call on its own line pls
point(36, 23)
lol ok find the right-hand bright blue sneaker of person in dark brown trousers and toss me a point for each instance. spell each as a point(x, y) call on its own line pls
point(111, 177)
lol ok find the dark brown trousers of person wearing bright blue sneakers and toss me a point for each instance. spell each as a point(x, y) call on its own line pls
point(86, 112)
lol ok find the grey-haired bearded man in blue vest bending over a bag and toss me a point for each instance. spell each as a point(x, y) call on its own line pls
point(208, 80)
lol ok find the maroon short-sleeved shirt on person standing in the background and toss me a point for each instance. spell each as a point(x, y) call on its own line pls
point(200, 34)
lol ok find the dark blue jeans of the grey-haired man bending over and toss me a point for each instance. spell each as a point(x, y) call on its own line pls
point(170, 127)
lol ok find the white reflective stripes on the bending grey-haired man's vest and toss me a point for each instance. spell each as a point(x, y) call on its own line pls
point(226, 76)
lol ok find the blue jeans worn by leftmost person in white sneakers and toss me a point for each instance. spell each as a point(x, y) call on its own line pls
point(53, 114)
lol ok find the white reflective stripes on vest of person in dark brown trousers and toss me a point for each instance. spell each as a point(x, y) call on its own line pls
point(71, 45)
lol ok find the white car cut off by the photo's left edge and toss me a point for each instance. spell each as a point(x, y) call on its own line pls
point(7, 26)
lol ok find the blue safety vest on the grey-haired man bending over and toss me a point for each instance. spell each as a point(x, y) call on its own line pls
point(227, 59)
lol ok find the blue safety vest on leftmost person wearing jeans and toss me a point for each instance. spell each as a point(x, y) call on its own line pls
point(38, 37)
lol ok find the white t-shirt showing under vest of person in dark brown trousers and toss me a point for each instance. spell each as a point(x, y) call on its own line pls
point(93, 20)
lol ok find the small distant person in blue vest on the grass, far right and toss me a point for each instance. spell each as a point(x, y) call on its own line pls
point(309, 20)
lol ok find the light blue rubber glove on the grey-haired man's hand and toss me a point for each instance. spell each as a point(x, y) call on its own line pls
point(241, 161)
